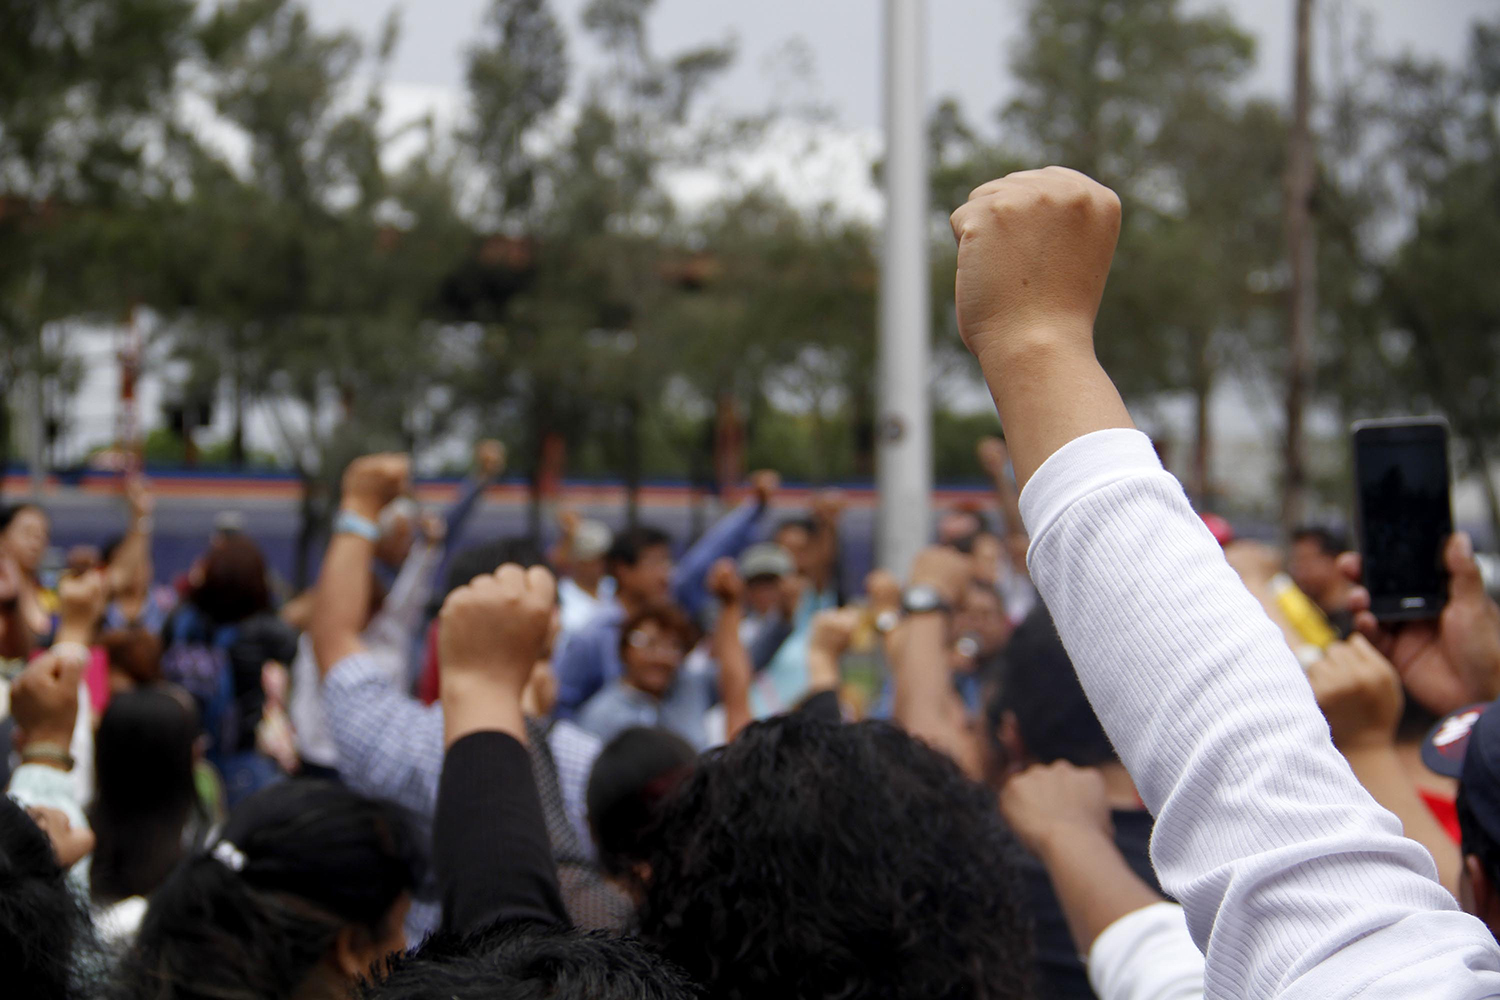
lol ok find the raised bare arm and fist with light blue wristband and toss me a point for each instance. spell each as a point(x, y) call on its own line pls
point(344, 585)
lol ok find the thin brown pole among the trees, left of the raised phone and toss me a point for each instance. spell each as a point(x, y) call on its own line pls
point(1303, 259)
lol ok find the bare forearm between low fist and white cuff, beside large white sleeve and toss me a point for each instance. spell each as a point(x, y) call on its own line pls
point(1094, 884)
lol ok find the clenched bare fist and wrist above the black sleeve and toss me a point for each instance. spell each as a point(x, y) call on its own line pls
point(496, 629)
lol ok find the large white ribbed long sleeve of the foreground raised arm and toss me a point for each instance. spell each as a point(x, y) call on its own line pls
point(1294, 881)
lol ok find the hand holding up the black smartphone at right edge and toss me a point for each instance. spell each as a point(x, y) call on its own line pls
point(1448, 663)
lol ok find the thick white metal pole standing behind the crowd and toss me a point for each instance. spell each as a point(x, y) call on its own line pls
point(905, 425)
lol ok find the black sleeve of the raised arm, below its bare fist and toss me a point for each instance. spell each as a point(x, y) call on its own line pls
point(490, 839)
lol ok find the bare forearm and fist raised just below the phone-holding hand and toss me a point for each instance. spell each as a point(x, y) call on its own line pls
point(1361, 698)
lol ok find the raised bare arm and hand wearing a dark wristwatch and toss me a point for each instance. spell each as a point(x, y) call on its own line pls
point(920, 656)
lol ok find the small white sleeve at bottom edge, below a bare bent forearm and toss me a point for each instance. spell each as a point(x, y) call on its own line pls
point(1147, 956)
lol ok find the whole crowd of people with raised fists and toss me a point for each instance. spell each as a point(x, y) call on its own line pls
point(1088, 746)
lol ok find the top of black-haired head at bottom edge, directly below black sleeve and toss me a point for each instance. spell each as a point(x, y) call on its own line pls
point(532, 963)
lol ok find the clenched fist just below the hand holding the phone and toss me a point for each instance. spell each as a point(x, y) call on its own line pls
point(1360, 693)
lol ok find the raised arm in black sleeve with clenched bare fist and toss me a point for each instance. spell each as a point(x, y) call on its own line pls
point(491, 848)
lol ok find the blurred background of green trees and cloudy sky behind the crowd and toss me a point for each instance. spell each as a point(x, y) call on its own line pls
point(640, 242)
